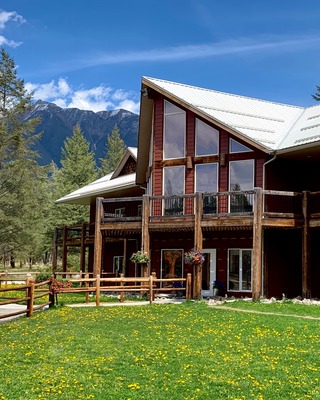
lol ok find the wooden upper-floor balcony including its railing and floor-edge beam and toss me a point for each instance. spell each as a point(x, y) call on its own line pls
point(211, 210)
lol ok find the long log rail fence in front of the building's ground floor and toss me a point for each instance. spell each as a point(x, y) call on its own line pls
point(146, 285)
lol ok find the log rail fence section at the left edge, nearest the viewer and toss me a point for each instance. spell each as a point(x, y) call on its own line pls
point(31, 292)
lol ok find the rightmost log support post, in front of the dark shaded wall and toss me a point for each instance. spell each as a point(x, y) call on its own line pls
point(306, 281)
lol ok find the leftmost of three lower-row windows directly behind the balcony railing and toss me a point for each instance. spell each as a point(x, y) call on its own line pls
point(173, 185)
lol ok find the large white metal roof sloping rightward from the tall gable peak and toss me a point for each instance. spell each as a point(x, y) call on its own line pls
point(273, 125)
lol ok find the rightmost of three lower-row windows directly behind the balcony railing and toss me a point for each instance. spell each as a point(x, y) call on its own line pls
point(241, 178)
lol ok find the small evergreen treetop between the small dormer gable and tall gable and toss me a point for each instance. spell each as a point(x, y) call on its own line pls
point(114, 151)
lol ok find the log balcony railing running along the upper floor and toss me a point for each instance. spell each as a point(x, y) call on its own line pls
point(275, 204)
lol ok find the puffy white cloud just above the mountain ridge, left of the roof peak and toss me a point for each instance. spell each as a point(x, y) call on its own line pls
point(96, 99)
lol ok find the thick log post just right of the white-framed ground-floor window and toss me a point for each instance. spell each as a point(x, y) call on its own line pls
point(257, 245)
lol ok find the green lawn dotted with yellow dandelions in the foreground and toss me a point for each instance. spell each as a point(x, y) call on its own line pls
point(161, 352)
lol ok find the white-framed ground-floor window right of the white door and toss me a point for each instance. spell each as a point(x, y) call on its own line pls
point(239, 270)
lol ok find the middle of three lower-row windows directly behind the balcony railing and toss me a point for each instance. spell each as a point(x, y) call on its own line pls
point(207, 182)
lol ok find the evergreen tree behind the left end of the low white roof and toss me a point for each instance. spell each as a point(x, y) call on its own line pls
point(78, 169)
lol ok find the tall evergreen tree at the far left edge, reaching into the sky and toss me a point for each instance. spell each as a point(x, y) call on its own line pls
point(19, 171)
